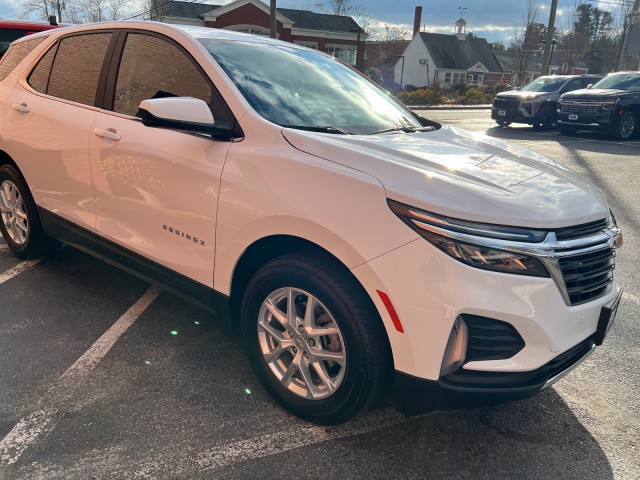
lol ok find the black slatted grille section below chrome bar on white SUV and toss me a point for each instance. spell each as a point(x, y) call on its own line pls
point(588, 276)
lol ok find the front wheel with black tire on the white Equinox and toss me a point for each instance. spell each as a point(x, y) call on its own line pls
point(368, 366)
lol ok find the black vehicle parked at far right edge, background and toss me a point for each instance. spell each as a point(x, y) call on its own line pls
point(612, 105)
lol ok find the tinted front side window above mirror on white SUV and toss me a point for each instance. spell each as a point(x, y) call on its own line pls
point(154, 68)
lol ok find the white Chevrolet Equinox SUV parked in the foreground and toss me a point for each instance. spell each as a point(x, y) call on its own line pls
point(360, 247)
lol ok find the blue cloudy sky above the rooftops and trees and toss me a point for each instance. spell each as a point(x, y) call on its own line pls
point(491, 19)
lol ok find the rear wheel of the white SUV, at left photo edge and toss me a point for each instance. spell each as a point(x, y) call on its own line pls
point(24, 236)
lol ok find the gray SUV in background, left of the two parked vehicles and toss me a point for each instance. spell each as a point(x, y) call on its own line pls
point(536, 103)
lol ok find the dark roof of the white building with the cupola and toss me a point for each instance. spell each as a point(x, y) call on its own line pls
point(449, 52)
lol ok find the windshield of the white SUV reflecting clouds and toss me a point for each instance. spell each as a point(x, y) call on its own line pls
point(301, 88)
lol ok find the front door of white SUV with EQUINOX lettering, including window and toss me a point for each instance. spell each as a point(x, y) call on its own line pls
point(157, 190)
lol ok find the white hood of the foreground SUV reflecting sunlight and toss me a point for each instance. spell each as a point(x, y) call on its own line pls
point(464, 175)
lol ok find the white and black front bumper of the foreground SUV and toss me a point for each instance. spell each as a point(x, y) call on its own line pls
point(430, 290)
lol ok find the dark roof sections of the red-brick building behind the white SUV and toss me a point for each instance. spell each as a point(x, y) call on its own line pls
point(301, 18)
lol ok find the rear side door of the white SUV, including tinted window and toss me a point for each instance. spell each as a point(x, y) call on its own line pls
point(47, 121)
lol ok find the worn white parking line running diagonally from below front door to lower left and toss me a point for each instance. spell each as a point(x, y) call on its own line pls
point(31, 427)
